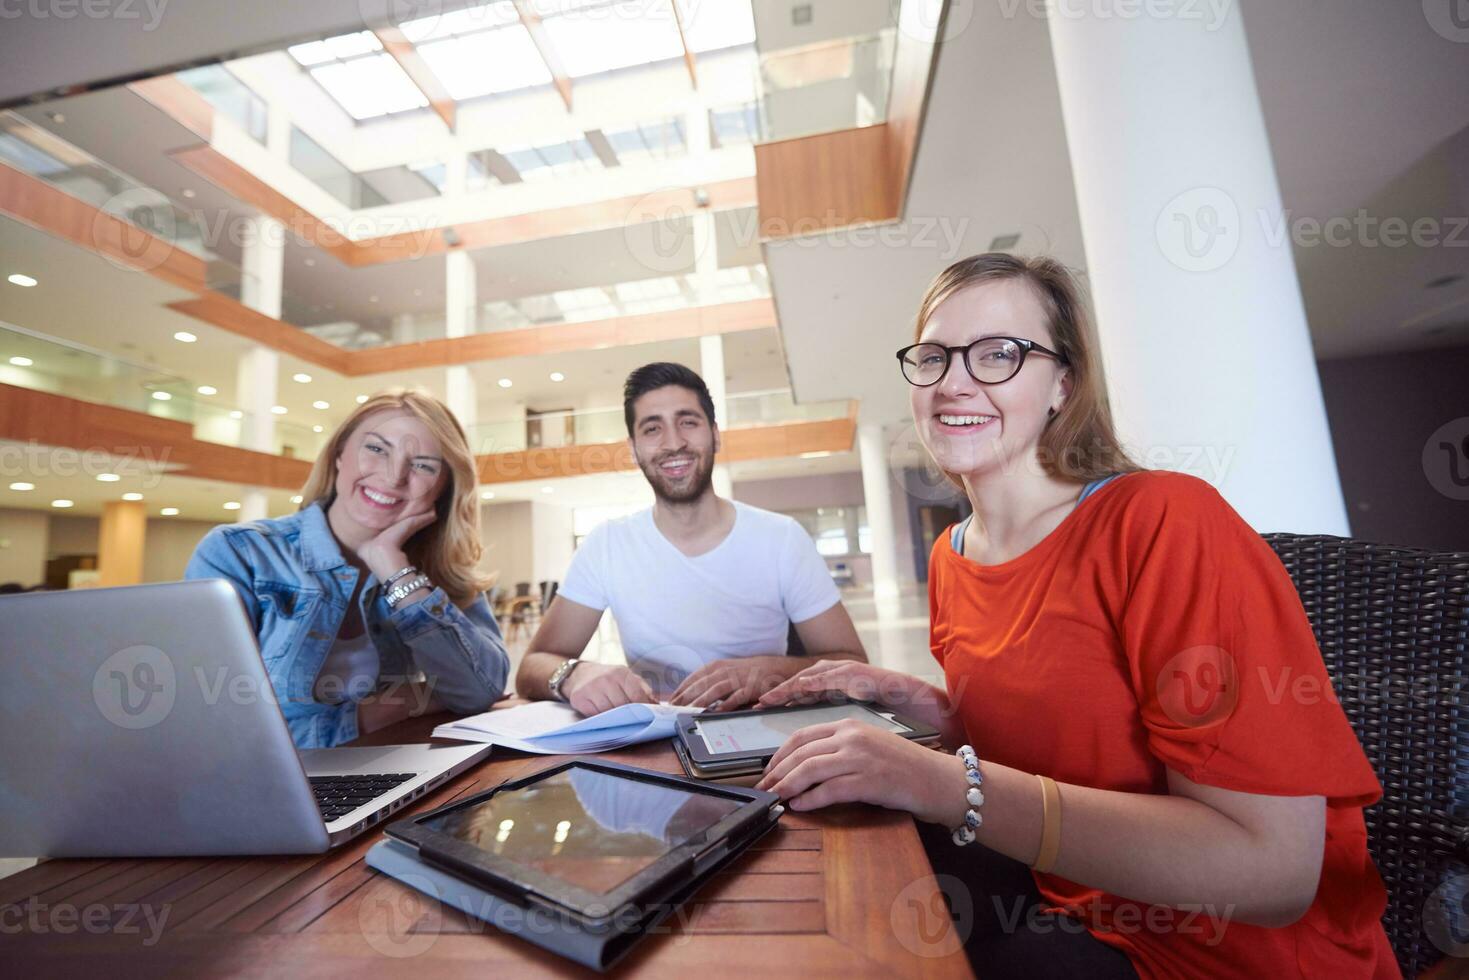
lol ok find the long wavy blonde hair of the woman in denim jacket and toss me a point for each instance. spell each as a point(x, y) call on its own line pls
point(449, 550)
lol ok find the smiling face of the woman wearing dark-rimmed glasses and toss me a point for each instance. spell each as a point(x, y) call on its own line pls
point(970, 428)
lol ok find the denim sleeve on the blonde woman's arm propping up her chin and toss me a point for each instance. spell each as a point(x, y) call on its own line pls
point(461, 652)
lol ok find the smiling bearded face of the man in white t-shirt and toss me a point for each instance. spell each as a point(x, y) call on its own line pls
point(675, 444)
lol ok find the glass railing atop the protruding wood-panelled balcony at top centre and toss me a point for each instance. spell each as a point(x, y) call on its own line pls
point(823, 87)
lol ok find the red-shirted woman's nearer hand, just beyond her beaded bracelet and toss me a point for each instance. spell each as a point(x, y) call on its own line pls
point(854, 763)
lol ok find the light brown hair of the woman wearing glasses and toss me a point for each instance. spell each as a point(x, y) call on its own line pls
point(1080, 442)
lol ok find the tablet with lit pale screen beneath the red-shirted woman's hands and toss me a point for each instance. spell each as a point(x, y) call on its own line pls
point(735, 741)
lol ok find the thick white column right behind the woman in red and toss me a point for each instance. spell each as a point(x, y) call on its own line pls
point(1202, 327)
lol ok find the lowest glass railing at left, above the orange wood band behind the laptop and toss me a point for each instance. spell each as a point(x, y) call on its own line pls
point(42, 364)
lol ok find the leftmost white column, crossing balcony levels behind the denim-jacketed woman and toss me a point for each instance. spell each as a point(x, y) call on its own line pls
point(259, 370)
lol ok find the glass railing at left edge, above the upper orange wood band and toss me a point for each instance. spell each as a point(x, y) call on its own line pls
point(70, 170)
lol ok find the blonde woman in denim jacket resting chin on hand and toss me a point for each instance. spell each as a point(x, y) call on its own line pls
point(374, 581)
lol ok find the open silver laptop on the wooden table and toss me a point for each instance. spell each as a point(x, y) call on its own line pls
point(140, 722)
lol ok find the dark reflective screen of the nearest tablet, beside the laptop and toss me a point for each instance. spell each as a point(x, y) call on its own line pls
point(587, 828)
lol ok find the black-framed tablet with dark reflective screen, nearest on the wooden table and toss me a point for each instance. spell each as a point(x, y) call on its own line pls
point(588, 838)
